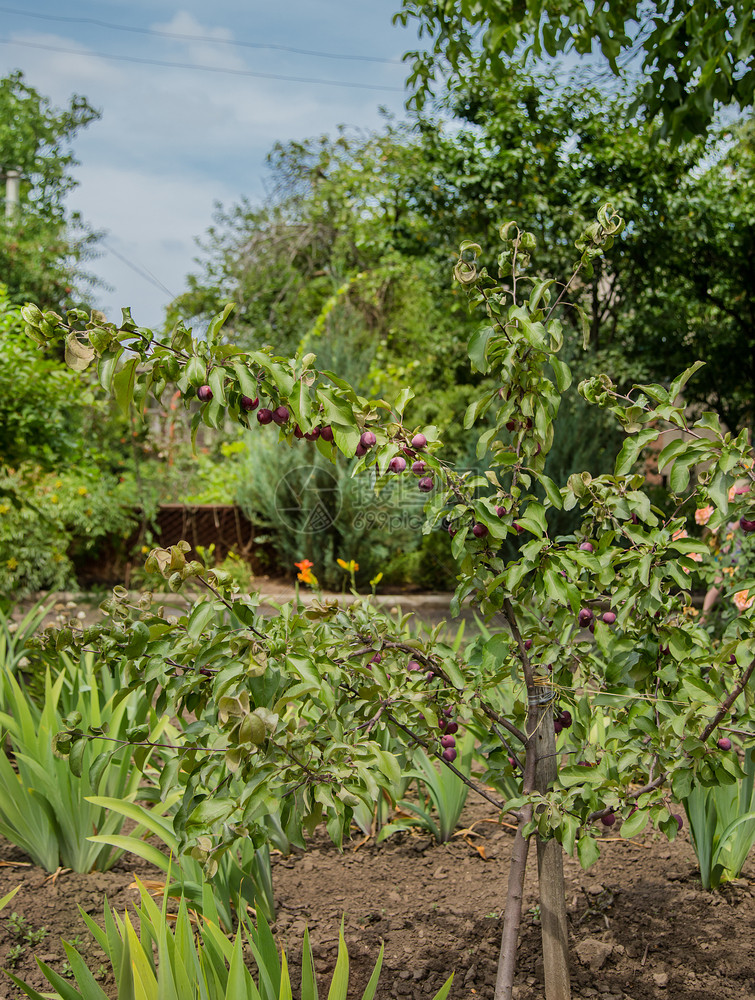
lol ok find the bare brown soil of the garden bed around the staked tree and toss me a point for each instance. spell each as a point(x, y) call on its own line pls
point(640, 925)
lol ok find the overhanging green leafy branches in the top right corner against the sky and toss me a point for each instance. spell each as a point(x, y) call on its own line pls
point(697, 54)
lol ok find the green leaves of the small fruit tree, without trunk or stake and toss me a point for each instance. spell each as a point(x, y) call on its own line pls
point(307, 713)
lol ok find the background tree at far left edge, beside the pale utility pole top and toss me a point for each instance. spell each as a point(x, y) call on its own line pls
point(42, 246)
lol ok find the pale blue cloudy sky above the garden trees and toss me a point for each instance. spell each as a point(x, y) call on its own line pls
point(172, 141)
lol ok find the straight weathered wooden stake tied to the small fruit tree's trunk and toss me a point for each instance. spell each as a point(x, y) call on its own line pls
point(550, 866)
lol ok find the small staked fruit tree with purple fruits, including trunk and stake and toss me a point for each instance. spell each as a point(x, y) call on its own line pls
point(600, 694)
